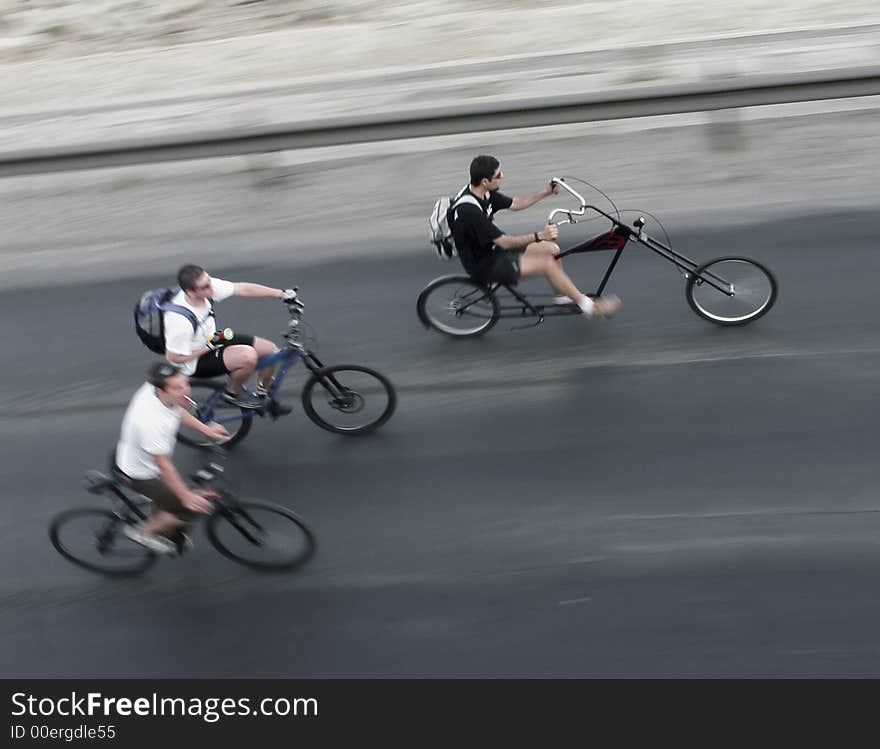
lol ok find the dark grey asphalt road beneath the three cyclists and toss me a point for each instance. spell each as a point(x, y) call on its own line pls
point(643, 496)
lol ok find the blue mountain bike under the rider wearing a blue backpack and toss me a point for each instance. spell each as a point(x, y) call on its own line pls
point(347, 399)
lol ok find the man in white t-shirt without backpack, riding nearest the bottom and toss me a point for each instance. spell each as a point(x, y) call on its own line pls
point(143, 457)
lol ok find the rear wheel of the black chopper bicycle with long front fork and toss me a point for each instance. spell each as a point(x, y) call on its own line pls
point(458, 306)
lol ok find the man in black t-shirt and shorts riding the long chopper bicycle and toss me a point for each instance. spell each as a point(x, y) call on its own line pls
point(491, 256)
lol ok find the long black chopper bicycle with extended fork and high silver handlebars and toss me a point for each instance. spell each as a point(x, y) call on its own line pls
point(726, 291)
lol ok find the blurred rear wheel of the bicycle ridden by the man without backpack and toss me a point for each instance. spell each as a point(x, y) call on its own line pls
point(92, 538)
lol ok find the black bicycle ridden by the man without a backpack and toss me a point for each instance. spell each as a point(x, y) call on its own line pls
point(260, 535)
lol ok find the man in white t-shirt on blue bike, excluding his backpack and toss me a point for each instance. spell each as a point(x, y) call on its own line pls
point(200, 352)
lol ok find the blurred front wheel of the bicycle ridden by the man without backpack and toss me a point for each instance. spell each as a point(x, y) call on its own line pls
point(261, 535)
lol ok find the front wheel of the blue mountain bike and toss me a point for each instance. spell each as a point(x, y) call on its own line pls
point(348, 399)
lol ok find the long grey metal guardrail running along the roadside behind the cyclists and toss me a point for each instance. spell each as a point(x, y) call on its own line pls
point(508, 115)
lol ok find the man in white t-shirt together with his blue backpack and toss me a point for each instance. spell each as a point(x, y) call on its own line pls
point(180, 323)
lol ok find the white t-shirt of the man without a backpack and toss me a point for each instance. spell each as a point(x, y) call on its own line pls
point(149, 428)
